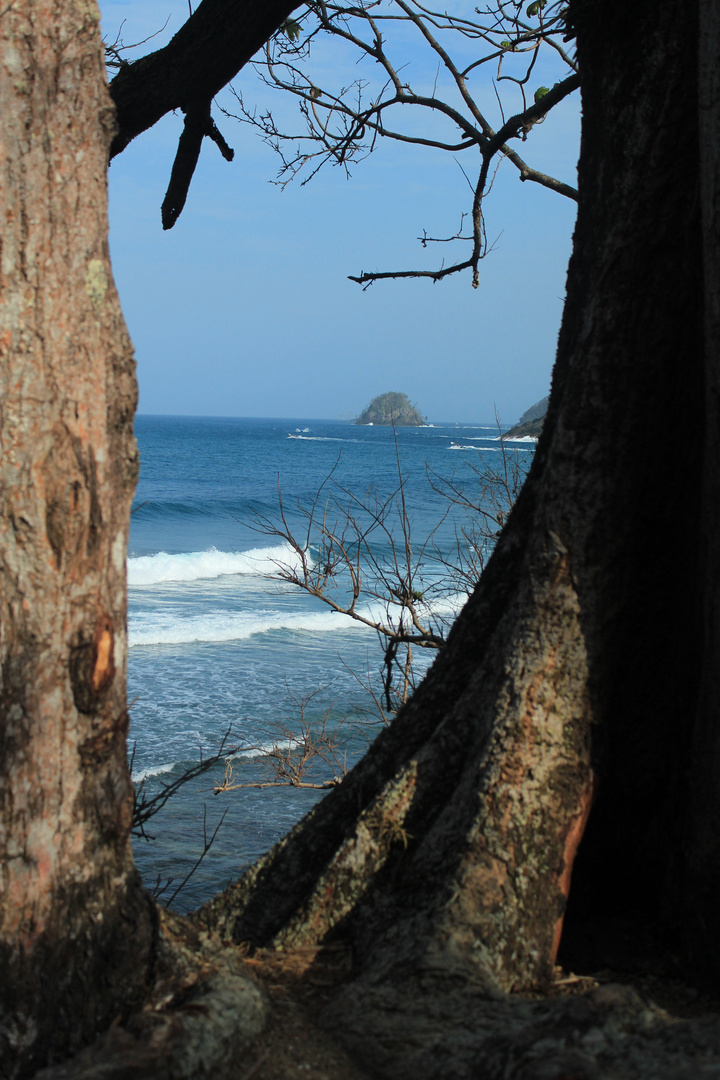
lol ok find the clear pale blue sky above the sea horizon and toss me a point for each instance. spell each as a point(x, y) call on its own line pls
point(246, 309)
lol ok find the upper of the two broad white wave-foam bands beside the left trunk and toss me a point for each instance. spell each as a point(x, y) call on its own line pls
point(196, 565)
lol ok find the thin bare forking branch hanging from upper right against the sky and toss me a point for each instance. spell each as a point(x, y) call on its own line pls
point(345, 125)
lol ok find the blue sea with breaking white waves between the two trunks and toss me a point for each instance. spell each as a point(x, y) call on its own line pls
point(219, 644)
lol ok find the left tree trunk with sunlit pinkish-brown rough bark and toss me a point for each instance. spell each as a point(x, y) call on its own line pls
point(71, 900)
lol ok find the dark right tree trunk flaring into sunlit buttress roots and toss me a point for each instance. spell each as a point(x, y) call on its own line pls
point(570, 679)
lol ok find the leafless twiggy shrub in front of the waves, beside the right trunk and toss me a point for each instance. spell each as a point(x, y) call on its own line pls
point(358, 556)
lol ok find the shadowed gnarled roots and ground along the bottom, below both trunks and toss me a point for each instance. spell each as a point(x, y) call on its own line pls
point(209, 1016)
